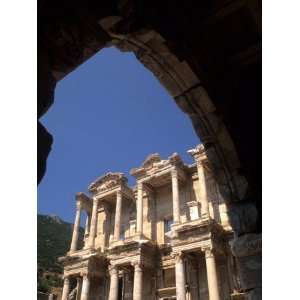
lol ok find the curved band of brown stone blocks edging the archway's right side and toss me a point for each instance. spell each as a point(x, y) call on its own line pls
point(192, 98)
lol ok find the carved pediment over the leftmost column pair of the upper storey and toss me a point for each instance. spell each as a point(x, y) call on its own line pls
point(107, 182)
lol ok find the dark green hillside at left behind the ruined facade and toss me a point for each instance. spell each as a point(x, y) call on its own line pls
point(53, 240)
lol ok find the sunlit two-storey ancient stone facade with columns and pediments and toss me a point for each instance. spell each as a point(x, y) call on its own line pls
point(166, 238)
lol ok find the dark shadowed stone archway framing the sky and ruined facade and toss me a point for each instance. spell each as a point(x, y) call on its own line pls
point(213, 74)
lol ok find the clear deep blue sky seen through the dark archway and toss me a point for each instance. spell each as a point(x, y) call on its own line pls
point(108, 115)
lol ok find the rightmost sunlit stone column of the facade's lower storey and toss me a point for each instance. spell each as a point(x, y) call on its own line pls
point(212, 279)
